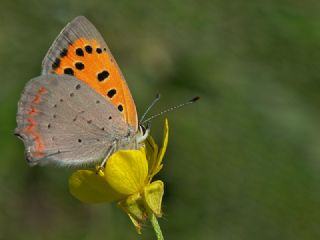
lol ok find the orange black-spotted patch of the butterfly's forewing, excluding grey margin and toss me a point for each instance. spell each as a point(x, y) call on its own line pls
point(94, 62)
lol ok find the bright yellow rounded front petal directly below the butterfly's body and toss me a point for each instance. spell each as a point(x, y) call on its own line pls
point(126, 171)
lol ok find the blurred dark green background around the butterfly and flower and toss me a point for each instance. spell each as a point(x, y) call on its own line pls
point(242, 163)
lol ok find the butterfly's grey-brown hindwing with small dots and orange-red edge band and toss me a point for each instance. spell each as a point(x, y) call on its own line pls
point(64, 121)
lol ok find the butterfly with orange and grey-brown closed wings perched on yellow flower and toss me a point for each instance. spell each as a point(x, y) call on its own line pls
point(79, 110)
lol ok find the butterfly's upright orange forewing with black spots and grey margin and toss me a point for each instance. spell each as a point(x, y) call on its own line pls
point(79, 50)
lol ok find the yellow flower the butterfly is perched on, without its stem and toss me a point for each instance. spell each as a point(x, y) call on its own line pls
point(127, 179)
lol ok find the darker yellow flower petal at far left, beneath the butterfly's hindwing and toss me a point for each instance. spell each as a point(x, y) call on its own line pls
point(90, 187)
